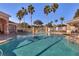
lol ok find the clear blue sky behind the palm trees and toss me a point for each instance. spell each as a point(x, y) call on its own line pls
point(67, 10)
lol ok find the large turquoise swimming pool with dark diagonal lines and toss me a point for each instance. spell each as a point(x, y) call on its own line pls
point(55, 45)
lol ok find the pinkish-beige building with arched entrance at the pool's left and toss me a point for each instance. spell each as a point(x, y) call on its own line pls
point(6, 26)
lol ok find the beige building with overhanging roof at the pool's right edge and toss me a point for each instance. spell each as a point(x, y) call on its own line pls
point(73, 25)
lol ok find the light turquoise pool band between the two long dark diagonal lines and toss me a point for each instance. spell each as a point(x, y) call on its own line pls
point(36, 47)
